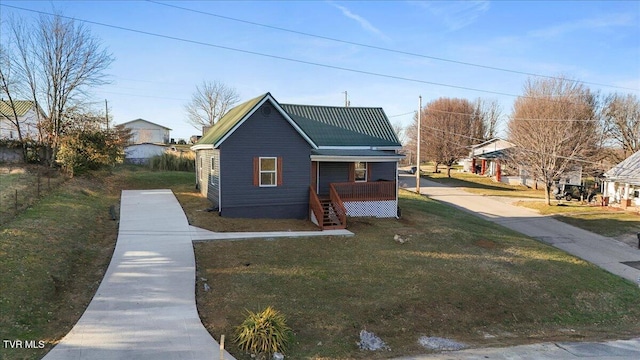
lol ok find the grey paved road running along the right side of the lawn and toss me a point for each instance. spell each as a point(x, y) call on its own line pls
point(602, 251)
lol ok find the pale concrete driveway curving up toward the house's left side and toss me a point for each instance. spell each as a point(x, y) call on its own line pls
point(145, 306)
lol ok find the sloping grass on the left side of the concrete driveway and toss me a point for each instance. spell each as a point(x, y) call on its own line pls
point(54, 253)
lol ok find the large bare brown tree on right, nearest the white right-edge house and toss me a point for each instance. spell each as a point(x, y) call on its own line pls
point(554, 127)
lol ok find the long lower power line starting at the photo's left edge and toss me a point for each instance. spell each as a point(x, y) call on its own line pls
point(395, 77)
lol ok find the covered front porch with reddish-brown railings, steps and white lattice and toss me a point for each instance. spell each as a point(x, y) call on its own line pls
point(356, 183)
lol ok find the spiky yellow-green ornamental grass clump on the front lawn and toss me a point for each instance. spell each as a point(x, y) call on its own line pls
point(265, 332)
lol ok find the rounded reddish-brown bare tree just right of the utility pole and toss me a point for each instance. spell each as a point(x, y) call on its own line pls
point(448, 127)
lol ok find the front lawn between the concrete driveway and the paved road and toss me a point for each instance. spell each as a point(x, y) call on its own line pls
point(458, 277)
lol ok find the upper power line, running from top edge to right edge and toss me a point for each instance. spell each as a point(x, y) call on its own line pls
point(380, 48)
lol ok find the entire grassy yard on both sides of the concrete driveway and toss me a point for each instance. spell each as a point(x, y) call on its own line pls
point(457, 277)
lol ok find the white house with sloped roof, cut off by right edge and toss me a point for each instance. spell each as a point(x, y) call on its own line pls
point(622, 184)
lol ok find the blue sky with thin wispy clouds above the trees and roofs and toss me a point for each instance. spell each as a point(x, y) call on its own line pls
point(597, 42)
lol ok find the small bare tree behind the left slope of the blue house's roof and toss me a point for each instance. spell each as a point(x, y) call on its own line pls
point(209, 103)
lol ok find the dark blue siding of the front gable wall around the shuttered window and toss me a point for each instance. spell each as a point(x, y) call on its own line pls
point(265, 135)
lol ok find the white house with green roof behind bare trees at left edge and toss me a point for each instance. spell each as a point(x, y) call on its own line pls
point(27, 118)
